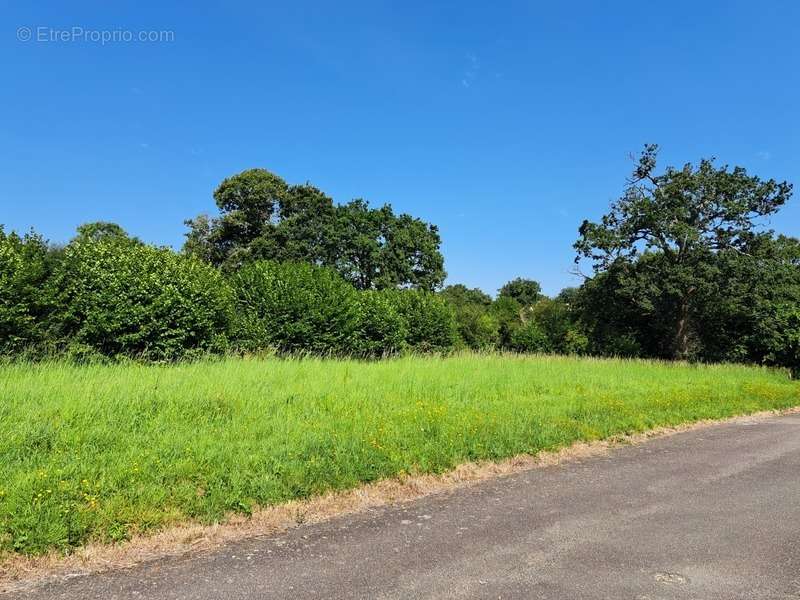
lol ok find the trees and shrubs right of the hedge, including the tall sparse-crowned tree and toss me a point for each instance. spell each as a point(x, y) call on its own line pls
point(682, 267)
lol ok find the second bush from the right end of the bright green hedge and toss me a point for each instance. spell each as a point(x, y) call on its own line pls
point(381, 329)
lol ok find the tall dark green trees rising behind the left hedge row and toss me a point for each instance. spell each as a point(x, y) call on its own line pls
point(261, 217)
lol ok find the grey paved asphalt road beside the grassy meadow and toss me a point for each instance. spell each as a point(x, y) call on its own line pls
point(708, 514)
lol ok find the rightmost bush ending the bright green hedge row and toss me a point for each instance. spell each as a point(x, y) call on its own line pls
point(429, 320)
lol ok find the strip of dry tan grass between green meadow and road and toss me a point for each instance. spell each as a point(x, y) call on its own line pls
point(17, 573)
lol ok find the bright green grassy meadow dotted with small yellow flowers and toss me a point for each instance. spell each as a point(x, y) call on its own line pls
point(98, 452)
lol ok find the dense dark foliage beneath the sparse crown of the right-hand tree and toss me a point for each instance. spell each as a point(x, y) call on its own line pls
point(738, 309)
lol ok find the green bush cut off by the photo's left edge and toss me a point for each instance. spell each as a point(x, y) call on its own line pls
point(23, 270)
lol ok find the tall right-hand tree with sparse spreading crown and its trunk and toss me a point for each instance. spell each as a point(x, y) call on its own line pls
point(684, 216)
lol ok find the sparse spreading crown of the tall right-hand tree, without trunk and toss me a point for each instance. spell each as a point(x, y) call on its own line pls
point(681, 211)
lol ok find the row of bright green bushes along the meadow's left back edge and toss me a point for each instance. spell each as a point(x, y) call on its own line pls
point(108, 295)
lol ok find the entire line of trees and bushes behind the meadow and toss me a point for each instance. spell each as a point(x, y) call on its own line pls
point(681, 268)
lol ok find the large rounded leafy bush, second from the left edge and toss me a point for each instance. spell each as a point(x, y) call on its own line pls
point(121, 297)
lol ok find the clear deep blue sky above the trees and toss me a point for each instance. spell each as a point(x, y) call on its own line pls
point(504, 123)
